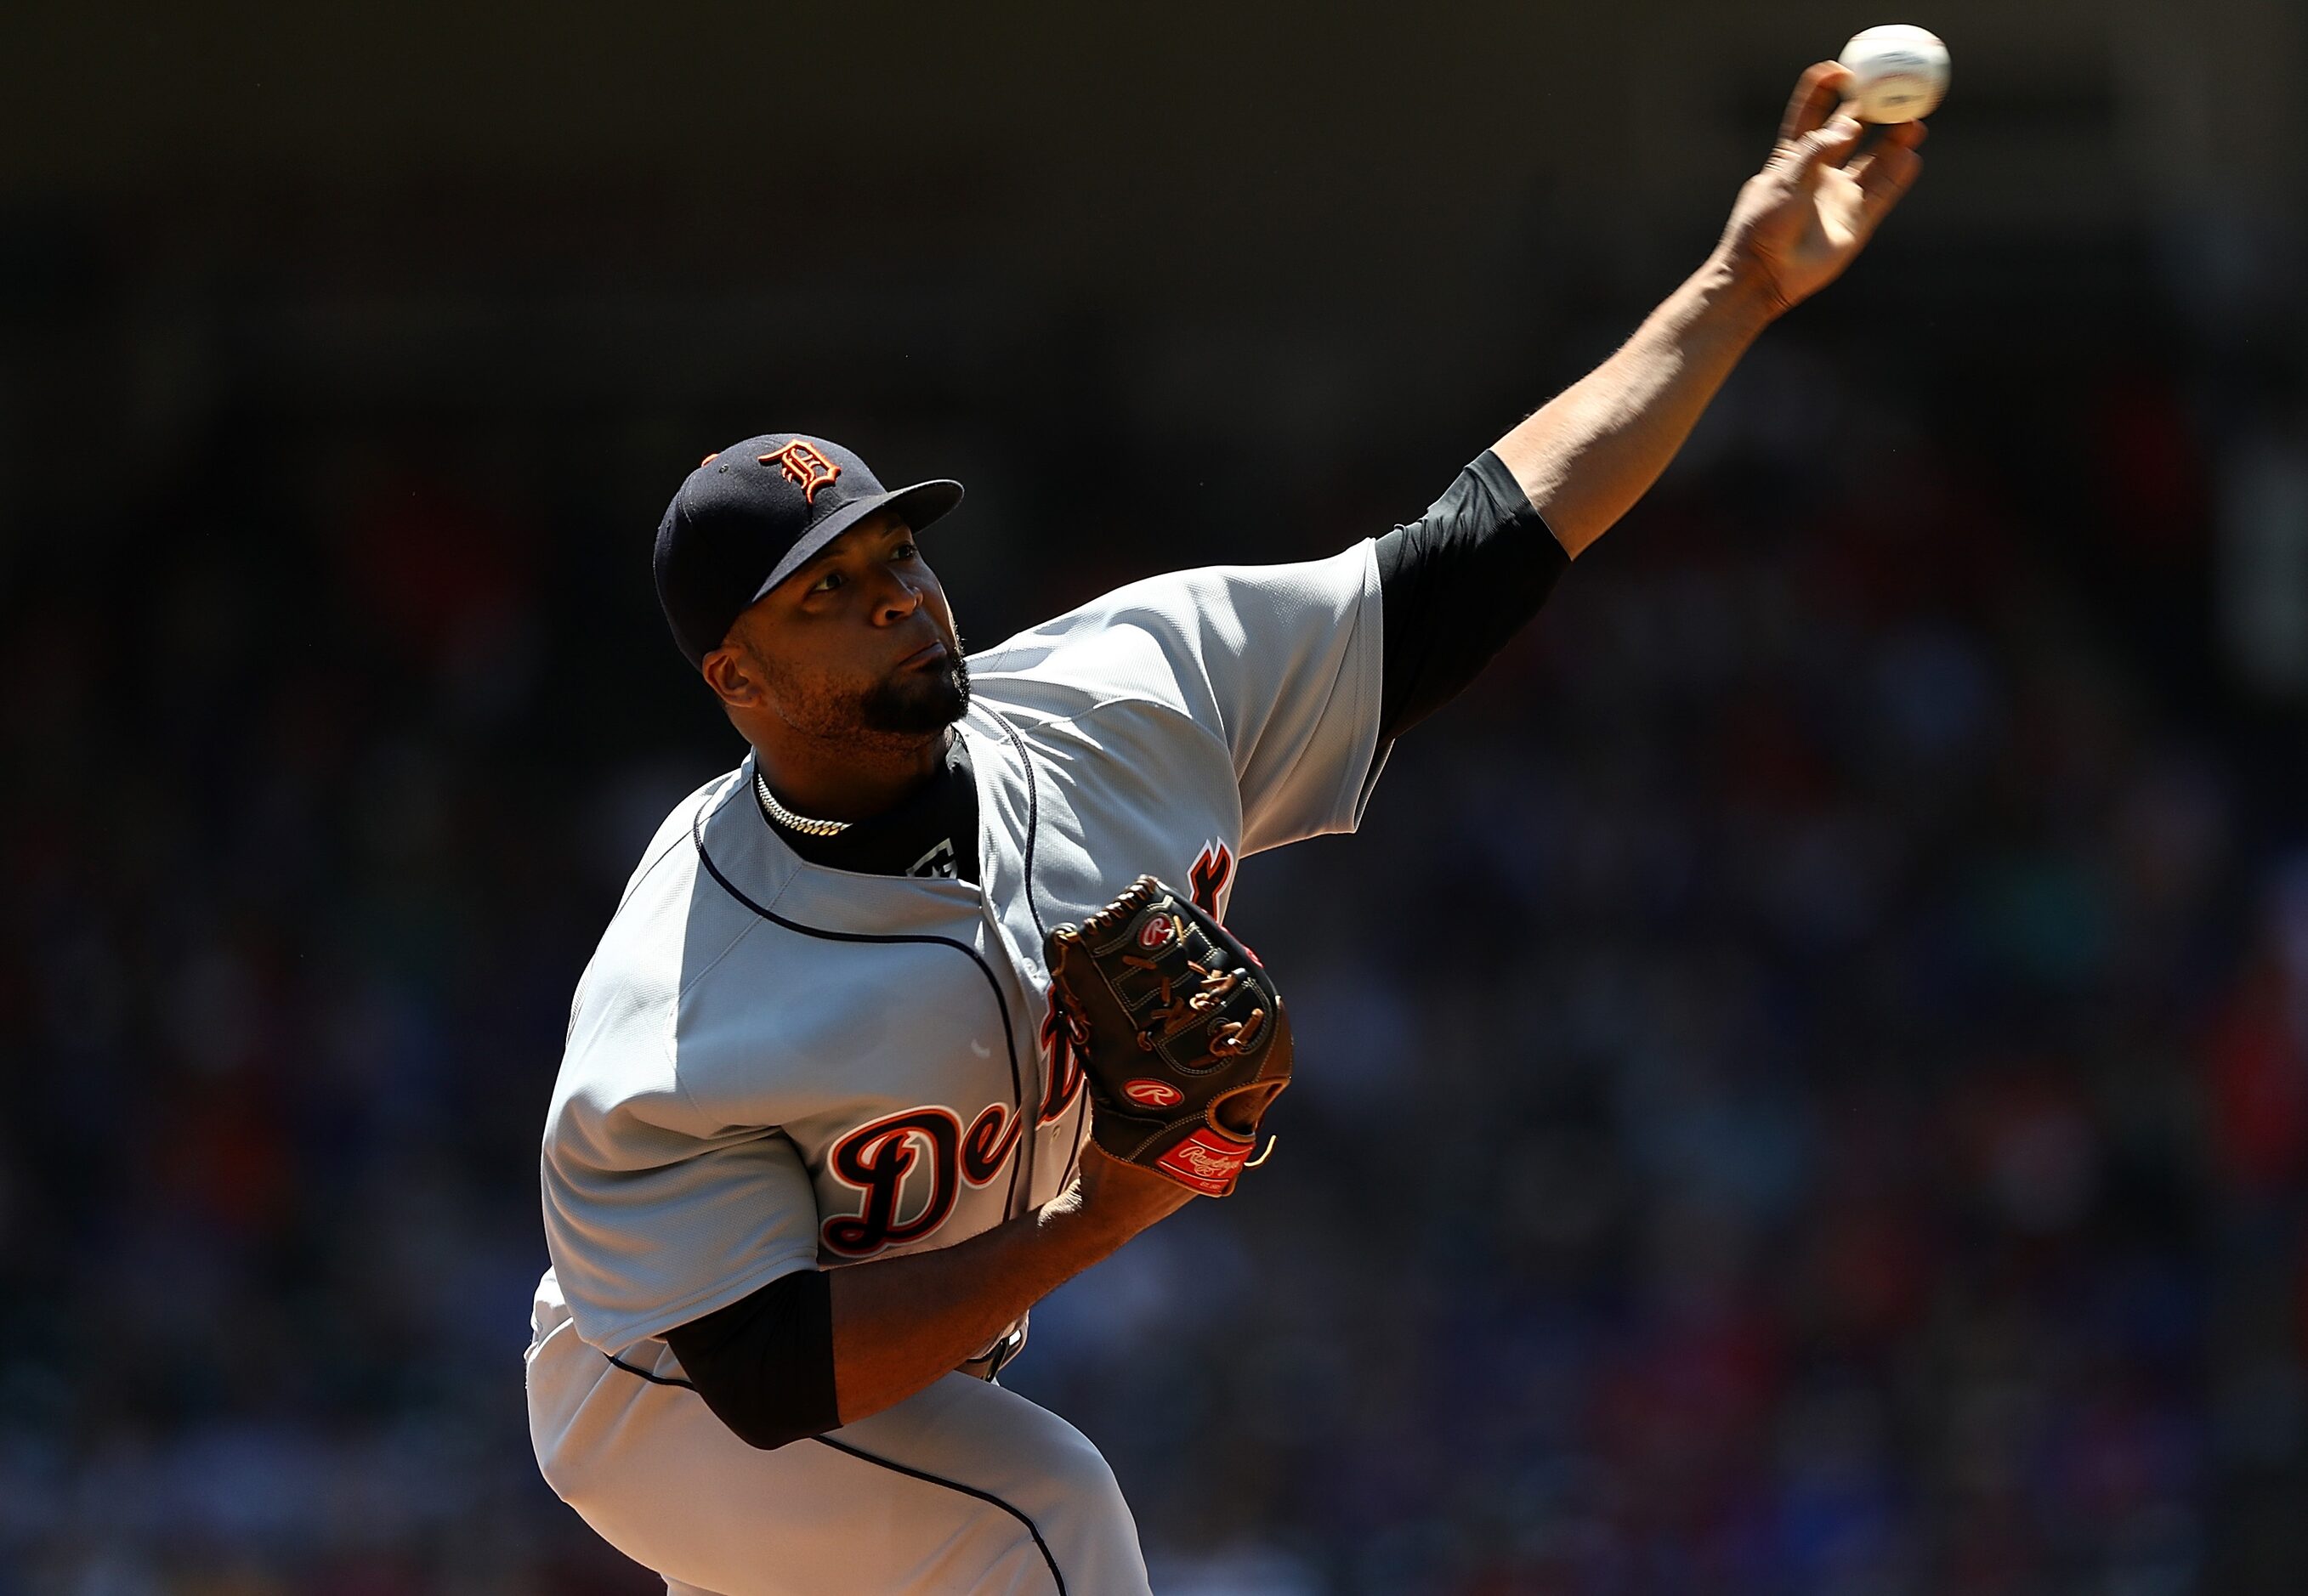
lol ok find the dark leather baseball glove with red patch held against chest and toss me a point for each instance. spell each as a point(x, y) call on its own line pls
point(1183, 1034)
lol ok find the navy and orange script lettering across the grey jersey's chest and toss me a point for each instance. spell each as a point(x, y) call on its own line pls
point(908, 1168)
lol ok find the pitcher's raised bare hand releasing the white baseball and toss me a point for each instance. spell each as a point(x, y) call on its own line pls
point(1806, 216)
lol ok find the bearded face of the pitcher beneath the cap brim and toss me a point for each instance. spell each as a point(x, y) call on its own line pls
point(860, 642)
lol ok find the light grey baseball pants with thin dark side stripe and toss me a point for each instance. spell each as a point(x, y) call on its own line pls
point(959, 1489)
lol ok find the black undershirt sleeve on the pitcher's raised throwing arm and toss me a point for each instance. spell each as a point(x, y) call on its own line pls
point(1458, 585)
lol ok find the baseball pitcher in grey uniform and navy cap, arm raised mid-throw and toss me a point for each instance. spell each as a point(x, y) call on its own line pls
point(823, 1136)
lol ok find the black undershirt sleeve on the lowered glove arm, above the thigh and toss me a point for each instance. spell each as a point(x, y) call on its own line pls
point(765, 1364)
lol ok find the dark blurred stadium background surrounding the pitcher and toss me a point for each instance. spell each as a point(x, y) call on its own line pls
point(1806, 1071)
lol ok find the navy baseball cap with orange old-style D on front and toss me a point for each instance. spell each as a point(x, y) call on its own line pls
point(751, 515)
